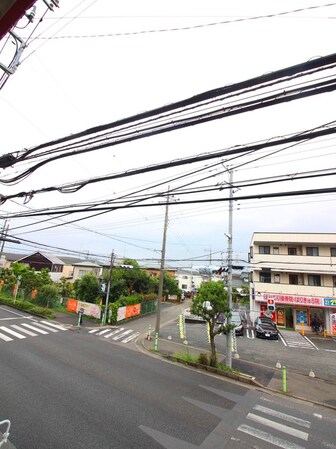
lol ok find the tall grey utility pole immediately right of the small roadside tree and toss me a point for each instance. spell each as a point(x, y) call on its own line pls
point(229, 277)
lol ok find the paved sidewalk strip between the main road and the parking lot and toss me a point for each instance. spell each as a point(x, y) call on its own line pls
point(298, 386)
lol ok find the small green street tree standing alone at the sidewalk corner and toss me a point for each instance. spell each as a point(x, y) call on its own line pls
point(210, 301)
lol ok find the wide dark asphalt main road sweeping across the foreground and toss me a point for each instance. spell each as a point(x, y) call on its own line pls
point(68, 389)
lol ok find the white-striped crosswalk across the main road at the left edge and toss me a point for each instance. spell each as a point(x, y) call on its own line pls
point(32, 329)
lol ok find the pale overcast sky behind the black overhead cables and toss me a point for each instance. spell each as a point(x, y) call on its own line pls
point(89, 63)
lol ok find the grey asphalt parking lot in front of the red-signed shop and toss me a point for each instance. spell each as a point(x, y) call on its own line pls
point(299, 354)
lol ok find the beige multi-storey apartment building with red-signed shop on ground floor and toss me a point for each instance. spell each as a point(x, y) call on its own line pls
point(296, 272)
